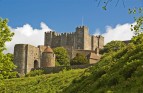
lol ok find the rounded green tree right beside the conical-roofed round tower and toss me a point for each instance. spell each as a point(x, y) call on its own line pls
point(62, 57)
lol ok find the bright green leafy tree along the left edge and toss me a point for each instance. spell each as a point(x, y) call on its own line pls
point(6, 60)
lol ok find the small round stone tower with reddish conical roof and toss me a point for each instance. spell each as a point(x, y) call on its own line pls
point(48, 58)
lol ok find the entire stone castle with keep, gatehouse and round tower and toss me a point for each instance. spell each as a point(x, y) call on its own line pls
point(27, 56)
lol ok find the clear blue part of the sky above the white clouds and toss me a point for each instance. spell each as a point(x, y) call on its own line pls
point(65, 15)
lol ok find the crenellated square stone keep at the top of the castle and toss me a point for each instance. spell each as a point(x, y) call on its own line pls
point(80, 39)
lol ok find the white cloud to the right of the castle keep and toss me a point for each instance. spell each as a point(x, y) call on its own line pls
point(120, 32)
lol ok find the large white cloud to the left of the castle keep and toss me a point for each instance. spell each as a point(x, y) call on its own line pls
point(27, 35)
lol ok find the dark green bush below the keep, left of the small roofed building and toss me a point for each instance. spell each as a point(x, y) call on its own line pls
point(79, 59)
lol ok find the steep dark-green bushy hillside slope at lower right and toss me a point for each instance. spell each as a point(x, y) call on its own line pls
point(117, 72)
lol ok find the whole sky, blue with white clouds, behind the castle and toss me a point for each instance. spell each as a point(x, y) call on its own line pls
point(29, 19)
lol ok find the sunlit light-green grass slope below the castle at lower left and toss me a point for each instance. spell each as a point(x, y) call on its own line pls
point(49, 83)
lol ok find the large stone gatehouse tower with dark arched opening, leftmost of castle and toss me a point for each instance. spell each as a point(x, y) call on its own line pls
point(25, 56)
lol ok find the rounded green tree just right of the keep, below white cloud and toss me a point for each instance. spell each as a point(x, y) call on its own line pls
point(113, 46)
